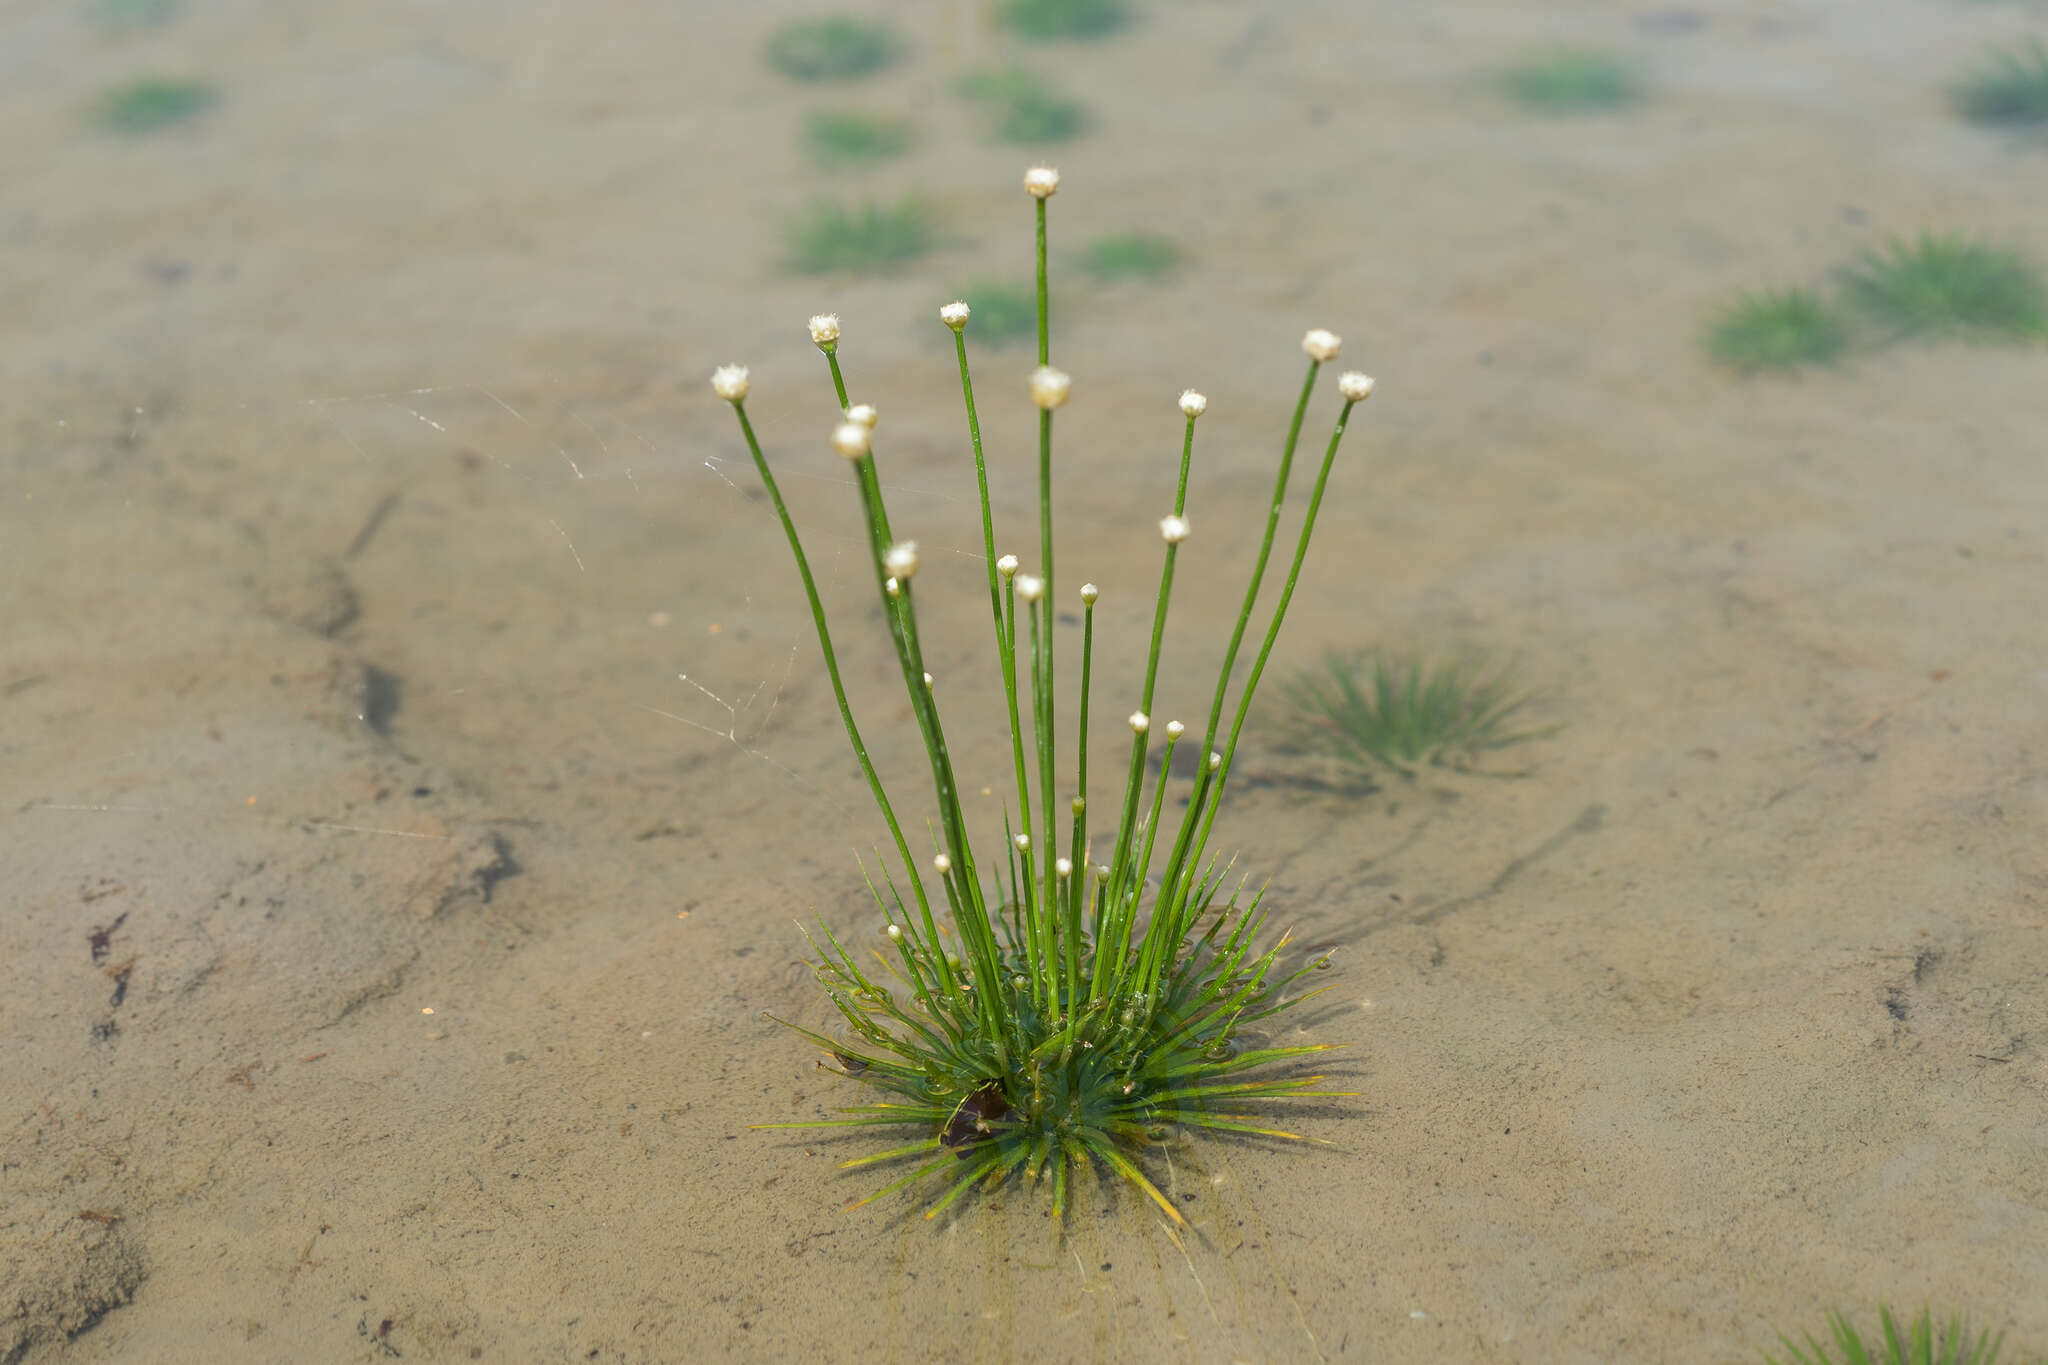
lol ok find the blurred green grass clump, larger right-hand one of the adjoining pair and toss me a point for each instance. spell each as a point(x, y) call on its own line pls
point(1951, 285)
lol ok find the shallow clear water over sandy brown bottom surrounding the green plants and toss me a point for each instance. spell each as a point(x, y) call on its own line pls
point(417, 758)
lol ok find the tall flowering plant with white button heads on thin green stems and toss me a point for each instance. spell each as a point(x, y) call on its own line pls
point(1078, 1002)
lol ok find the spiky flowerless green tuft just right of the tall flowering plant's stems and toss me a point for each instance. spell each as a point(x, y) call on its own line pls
point(1406, 713)
